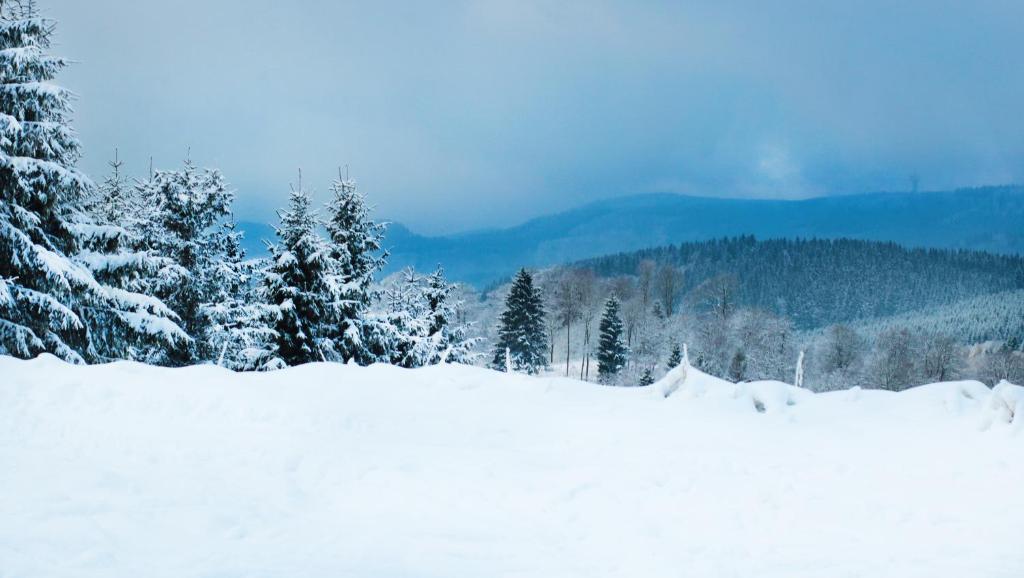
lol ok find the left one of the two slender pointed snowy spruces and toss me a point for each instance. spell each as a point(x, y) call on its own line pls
point(301, 284)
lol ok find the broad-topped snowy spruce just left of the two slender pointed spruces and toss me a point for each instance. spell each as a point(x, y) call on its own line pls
point(186, 225)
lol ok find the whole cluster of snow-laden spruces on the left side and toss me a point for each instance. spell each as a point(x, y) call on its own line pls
point(153, 270)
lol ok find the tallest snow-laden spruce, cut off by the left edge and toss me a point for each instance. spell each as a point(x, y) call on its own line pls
point(50, 303)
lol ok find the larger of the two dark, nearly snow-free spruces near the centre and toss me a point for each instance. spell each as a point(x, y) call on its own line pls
point(522, 328)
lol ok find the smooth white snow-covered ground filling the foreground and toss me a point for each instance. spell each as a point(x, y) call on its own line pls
point(126, 471)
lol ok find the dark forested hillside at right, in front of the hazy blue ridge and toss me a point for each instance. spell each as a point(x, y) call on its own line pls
point(821, 282)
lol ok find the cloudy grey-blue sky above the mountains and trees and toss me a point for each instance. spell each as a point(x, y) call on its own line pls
point(511, 109)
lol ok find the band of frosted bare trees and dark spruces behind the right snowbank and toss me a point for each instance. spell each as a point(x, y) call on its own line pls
point(559, 319)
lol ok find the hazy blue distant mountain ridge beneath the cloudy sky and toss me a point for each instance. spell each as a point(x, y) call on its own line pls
point(987, 219)
